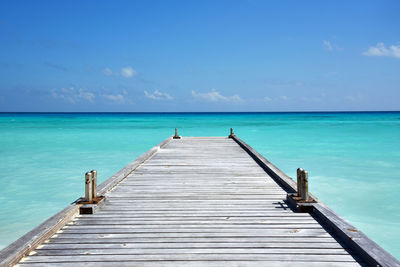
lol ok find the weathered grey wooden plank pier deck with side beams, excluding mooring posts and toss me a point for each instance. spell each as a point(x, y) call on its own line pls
point(196, 201)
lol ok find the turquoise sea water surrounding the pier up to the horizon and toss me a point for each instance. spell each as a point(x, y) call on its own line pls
point(353, 159)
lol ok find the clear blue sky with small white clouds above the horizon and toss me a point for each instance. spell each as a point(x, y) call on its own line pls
point(199, 55)
